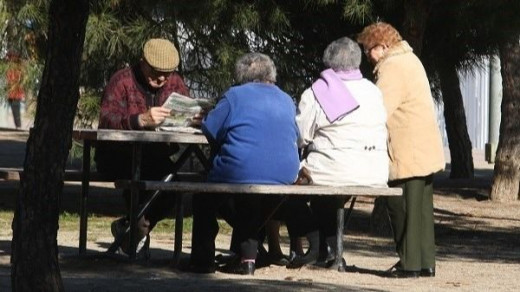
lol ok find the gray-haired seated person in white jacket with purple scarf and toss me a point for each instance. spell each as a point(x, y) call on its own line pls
point(341, 119)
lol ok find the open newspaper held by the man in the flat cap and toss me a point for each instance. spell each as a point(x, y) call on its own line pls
point(183, 108)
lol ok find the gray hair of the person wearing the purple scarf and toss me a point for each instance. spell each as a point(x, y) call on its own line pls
point(342, 54)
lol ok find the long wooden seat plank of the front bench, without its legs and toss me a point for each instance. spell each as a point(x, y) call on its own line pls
point(224, 188)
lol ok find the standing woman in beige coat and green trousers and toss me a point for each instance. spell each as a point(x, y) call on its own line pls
point(414, 146)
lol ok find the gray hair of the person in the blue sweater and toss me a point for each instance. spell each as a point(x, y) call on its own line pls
point(255, 67)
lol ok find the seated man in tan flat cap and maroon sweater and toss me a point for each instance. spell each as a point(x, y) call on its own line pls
point(132, 101)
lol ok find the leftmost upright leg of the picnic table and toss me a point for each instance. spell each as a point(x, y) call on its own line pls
point(84, 198)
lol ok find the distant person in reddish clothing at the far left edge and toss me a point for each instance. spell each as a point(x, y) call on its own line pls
point(15, 90)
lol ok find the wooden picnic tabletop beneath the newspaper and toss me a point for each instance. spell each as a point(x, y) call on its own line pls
point(138, 136)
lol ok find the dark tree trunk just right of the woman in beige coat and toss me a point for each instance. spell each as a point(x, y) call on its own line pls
point(456, 129)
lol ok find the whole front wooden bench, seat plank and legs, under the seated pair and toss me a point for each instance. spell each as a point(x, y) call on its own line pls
point(282, 190)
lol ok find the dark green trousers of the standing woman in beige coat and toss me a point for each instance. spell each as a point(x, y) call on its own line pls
point(411, 217)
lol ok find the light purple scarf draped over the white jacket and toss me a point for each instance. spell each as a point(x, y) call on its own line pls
point(333, 96)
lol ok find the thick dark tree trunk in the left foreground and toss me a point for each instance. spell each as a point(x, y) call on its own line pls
point(34, 255)
